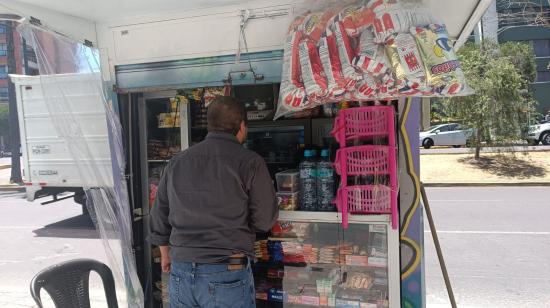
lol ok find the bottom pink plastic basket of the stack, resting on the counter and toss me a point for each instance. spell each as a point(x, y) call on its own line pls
point(367, 199)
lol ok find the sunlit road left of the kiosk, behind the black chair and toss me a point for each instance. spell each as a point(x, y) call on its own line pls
point(35, 236)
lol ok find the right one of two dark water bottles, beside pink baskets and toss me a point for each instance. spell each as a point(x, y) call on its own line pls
point(325, 183)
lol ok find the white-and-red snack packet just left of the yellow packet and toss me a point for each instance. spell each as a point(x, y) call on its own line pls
point(407, 64)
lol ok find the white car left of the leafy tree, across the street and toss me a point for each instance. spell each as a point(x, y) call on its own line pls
point(451, 134)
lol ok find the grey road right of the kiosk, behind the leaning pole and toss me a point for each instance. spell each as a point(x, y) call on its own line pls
point(496, 243)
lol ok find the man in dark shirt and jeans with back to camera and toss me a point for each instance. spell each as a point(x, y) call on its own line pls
point(211, 200)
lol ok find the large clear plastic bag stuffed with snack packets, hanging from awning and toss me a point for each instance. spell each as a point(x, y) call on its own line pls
point(364, 51)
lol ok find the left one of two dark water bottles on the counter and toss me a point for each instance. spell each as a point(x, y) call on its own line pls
point(308, 183)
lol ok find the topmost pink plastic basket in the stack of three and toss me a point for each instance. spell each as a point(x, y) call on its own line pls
point(365, 122)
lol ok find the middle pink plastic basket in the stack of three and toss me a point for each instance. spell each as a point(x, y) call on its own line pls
point(366, 160)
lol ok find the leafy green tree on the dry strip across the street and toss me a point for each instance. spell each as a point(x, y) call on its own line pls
point(500, 76)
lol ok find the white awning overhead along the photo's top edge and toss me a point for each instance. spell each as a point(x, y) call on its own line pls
point(78, 19)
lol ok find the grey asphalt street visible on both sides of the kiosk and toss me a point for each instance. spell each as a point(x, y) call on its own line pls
point(496, 243)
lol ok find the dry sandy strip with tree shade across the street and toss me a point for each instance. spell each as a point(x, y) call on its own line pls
point(526, 168)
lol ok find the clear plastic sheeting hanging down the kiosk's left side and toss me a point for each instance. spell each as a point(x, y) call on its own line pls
point(70, 76)
